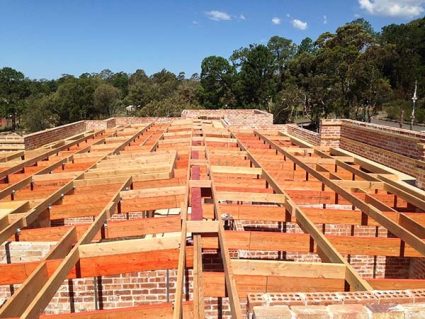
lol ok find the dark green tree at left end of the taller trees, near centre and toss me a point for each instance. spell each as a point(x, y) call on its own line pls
point(216, 82)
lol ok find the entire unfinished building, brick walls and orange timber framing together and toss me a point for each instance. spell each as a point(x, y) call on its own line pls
point(216, 214)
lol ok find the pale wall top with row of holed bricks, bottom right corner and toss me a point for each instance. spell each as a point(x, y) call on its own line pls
point(359, 305)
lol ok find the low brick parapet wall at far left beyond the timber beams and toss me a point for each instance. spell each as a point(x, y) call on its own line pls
point(38, 139)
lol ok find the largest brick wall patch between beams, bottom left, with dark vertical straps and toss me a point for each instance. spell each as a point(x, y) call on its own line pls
point(117, 291)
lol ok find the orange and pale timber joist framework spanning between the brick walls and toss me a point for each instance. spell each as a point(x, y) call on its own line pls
point(100, 197)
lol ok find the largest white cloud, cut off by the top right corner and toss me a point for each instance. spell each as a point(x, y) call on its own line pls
point(393, 8)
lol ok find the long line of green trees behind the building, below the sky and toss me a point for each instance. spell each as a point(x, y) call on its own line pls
point(352, 73)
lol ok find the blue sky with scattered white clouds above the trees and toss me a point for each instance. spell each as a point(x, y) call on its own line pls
point(45, 39)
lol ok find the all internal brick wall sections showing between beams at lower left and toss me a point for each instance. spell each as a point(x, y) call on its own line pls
point(107, 292)
